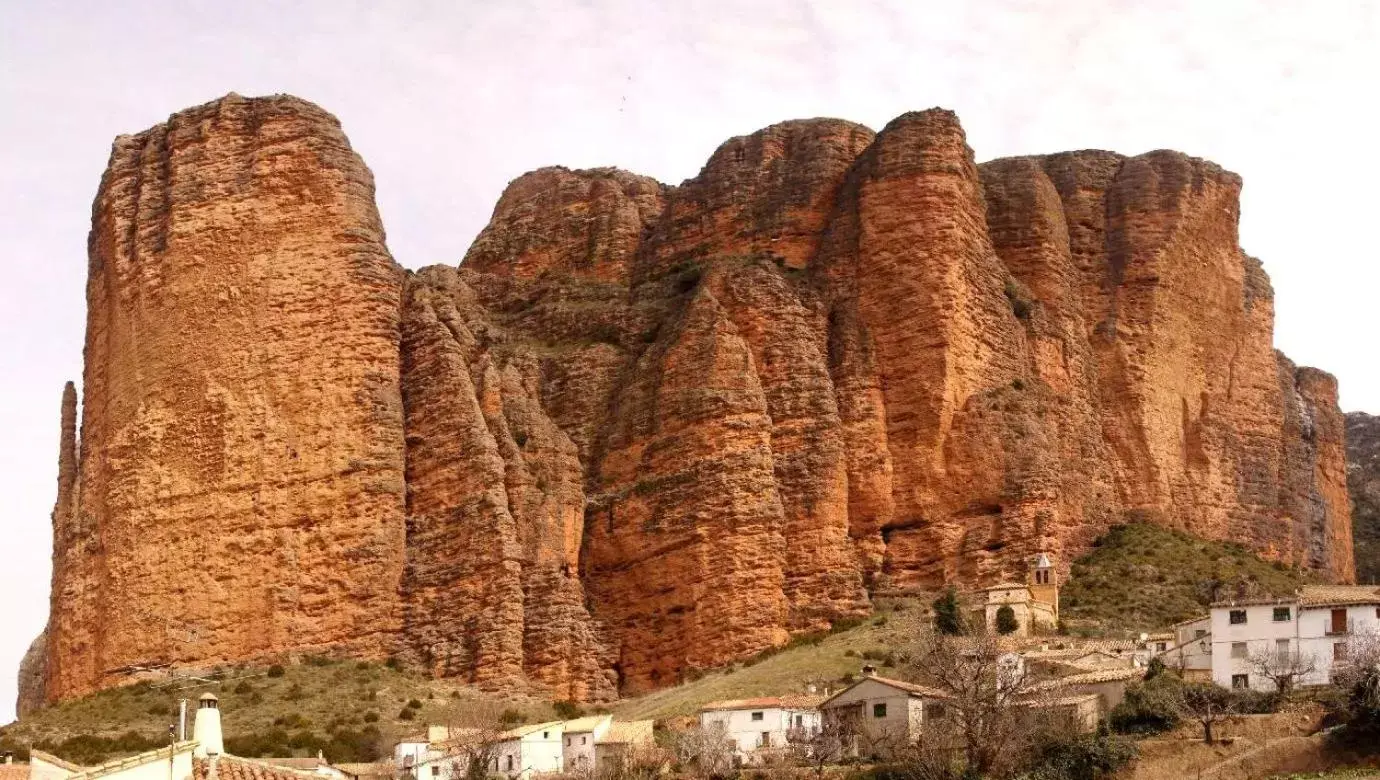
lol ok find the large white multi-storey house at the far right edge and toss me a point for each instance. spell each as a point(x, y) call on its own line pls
point(1316, 626)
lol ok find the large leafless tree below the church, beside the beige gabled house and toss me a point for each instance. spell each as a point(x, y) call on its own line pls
point(982, 691)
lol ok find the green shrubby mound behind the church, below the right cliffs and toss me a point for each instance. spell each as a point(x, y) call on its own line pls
point(1143, 578)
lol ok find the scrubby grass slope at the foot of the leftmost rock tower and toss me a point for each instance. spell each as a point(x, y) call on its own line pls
point(351, 712)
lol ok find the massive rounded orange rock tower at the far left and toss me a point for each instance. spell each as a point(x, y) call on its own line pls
point(241, 482)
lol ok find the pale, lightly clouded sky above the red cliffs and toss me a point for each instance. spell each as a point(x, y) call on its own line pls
point(449, 101)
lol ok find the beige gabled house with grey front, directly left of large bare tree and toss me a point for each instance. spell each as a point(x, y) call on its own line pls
point(884, 710)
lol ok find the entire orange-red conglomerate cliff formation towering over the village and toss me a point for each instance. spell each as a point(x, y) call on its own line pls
point(645, 430)
